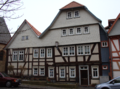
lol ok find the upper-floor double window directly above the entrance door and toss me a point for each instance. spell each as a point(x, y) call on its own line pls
point(83, 50)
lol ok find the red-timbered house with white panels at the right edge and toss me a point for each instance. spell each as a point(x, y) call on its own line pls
point(114, 46)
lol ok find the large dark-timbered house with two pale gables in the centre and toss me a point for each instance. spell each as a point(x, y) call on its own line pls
point(68, 50)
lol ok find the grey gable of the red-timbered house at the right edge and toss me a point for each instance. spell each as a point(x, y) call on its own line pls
point(116, 29)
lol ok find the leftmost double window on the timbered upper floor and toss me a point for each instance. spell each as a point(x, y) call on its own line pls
point(18, 54)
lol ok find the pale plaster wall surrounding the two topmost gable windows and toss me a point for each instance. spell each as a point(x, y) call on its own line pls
point(85, 18)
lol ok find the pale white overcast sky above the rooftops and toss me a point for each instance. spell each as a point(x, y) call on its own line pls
point(40, 13)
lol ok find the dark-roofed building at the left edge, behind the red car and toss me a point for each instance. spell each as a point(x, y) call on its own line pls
point(4, 38)
